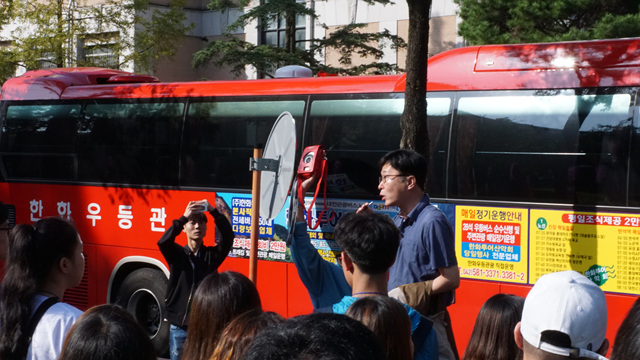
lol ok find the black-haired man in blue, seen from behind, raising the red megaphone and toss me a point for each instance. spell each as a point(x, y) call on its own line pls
point(330, 285)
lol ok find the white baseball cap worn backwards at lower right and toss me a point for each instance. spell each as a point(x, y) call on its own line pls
point(565, 314)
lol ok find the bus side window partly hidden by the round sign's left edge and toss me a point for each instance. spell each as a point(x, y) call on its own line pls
point(219, 139)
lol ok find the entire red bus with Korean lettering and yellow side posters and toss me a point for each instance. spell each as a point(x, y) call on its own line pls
point(534, 154)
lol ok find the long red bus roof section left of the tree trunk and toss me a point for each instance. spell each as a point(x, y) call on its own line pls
point(65, 84)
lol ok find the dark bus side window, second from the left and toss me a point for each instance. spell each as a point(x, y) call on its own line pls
point(131, 143)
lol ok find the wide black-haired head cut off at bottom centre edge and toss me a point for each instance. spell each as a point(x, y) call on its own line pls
point(325, 336)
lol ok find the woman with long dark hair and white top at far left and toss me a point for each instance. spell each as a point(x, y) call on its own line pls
point(44, 260)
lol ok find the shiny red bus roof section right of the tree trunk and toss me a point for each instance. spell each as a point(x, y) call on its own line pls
point(596, 63)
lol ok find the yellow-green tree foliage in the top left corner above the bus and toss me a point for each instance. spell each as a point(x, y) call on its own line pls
point(53, 33)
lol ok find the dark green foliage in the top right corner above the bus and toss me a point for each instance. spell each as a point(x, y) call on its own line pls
point(525, 21)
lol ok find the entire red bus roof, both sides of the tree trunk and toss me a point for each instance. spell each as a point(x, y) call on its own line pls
point(598, 63)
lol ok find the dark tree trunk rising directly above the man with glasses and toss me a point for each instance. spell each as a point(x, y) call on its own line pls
point(414, 118)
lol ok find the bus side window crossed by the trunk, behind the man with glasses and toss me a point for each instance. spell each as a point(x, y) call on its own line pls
point(357, 132)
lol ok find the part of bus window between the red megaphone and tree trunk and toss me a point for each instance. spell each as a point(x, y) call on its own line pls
point(356, 133)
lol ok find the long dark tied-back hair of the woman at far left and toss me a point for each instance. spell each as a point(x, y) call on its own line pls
point(33, 253)
